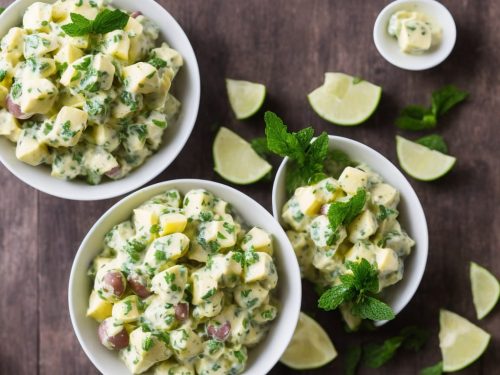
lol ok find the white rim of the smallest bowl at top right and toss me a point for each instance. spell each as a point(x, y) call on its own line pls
point(414, 62)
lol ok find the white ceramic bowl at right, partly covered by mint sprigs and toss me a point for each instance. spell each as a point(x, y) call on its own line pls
point(411, 216)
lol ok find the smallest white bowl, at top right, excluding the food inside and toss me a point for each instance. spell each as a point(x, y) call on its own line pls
point(388, 45)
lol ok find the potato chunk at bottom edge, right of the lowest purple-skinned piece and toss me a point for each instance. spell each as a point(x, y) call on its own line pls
point(144, 350)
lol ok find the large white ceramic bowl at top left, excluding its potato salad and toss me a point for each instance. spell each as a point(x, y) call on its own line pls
point(186, 87)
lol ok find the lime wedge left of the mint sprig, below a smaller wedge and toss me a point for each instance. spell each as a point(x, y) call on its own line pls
point(235, 159)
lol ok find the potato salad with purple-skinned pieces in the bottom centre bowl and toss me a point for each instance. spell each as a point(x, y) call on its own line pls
point(183, 287)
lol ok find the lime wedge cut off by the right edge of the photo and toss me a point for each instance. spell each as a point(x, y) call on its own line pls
point(485, 289)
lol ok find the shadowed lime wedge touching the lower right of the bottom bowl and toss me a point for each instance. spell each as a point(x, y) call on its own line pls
point(310, 346)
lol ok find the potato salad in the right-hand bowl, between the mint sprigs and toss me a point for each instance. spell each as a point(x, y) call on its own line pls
point(374, 234)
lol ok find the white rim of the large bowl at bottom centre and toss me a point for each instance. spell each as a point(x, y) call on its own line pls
point(289, 267)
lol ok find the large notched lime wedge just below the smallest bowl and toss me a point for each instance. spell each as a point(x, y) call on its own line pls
point(345, 100)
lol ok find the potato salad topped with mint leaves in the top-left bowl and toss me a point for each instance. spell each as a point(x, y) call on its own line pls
point(88, 101)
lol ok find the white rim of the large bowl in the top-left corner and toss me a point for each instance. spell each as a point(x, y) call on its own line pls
point(77, 190)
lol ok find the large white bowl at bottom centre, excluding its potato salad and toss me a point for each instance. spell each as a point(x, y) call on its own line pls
point(261, 358)
